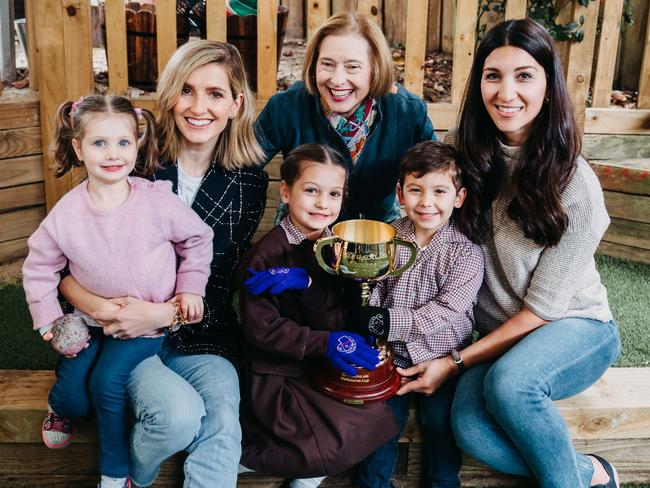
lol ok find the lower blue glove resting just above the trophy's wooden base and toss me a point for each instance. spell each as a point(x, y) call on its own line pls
point(345, 349)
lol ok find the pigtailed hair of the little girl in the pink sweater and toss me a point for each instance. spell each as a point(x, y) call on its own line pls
point(71, 120)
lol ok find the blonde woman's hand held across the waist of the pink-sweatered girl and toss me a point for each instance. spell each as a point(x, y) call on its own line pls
point(134, 318)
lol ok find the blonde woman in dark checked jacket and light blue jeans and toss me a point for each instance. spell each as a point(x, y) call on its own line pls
point(187, 397)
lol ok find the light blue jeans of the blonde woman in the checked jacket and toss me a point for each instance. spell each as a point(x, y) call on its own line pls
point(186, 402)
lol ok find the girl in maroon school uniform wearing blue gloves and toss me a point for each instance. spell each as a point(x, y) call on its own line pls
point(289, 428)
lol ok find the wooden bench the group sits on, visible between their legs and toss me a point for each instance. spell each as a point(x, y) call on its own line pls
point(611, 418)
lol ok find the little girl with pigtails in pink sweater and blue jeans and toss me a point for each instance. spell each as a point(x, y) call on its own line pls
point(120, 235)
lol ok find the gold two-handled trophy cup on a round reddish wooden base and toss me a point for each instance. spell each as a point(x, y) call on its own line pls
point(363, 251)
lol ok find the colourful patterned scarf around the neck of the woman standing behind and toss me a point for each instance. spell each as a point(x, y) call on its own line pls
point(354, 130)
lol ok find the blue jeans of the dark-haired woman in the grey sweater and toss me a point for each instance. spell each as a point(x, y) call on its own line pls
point(503, 413)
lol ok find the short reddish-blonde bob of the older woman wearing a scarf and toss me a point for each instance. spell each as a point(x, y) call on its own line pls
point(381, 60)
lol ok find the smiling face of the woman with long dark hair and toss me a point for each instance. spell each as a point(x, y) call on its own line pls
point(513, 87)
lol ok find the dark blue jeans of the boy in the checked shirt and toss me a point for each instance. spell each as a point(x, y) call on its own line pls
point(442, 457)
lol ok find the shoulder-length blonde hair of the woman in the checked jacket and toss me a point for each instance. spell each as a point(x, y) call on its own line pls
point(236, 147)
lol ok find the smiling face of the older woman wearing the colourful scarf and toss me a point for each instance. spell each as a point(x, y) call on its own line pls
point(343, 72)
